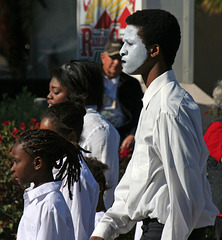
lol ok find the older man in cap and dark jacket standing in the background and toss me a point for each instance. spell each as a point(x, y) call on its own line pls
point(122, 95)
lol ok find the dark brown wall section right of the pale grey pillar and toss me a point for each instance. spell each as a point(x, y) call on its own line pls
point(207, 50)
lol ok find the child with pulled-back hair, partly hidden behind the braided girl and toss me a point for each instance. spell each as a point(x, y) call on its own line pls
point(66, 119)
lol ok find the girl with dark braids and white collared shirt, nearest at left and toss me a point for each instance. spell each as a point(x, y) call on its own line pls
point(46, 215)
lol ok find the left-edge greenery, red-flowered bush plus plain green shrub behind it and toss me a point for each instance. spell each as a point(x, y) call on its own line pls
point(15, 115)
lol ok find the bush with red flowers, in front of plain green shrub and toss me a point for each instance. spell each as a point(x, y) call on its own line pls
point(11, 193)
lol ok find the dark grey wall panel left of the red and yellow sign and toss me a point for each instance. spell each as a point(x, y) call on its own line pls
point(54, 37)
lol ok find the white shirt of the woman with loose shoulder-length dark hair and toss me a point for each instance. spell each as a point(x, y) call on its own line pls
point(102, 139)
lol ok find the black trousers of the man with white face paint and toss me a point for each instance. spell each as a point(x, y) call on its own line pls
point(152, 230)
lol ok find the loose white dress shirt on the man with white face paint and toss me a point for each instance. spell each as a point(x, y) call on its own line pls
point(166, 177)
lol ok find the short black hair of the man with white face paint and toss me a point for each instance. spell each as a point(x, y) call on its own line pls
point(160, 27)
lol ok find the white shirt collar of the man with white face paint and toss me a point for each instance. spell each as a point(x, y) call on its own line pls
point(156, 85)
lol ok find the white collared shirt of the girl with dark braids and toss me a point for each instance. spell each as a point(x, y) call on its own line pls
point(46, 215)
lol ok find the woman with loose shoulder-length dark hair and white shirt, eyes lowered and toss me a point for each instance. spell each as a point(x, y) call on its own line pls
point(83, 79)
